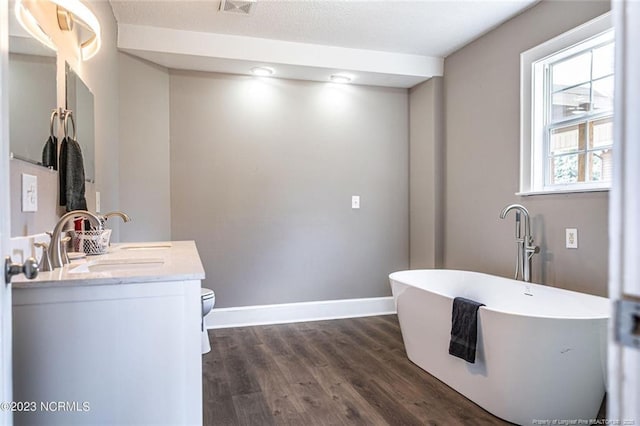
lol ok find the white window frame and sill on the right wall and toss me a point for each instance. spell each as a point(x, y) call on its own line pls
point(532, 108)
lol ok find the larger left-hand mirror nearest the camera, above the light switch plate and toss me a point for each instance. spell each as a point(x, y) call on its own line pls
point(32, 97)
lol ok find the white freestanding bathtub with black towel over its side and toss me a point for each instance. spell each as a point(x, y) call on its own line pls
point(540, 353)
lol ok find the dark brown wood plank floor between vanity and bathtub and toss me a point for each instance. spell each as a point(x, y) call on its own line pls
point(340, 372)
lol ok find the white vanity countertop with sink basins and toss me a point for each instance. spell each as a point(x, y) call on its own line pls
point(125, 263)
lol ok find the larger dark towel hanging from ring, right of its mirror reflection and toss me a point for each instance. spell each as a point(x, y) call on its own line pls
point(71, 175)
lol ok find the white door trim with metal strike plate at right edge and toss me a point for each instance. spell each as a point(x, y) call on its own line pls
point(624, 211)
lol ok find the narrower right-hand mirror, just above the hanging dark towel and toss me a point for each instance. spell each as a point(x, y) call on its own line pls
point(79, 99)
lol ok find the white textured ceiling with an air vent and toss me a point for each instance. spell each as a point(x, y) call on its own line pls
point(430, 28)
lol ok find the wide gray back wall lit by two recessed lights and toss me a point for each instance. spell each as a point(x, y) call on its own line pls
point(262, 174)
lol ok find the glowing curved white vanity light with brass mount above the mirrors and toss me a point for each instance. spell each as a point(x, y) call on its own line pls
point(68, 12)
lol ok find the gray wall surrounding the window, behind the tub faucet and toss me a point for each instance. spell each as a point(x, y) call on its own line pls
point(482, 161)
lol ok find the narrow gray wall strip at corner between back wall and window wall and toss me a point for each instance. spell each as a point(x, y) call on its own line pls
point(426, 172)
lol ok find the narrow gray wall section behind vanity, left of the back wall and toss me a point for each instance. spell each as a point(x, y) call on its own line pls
point(144, 149)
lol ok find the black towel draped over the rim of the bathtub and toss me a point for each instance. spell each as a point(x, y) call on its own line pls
point(464, 329)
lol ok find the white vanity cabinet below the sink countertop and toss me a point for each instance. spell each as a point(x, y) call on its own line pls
point(110, 349)
